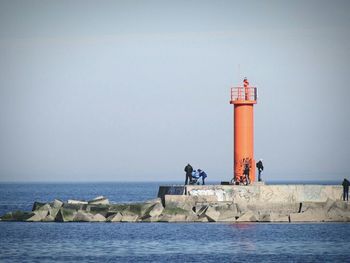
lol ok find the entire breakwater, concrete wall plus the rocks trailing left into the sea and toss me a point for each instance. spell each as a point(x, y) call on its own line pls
point(209, 203)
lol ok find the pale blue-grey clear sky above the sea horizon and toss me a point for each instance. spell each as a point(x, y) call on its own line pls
point(135, 90)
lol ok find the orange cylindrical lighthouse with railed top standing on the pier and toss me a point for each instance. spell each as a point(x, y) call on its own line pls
point(243, 99)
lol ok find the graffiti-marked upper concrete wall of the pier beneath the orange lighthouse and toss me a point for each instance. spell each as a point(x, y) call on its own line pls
point(257, 192)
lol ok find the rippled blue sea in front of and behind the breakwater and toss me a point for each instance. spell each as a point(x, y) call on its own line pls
point(155, 242)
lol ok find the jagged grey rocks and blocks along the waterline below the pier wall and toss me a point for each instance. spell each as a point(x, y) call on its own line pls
point(183, 208)
